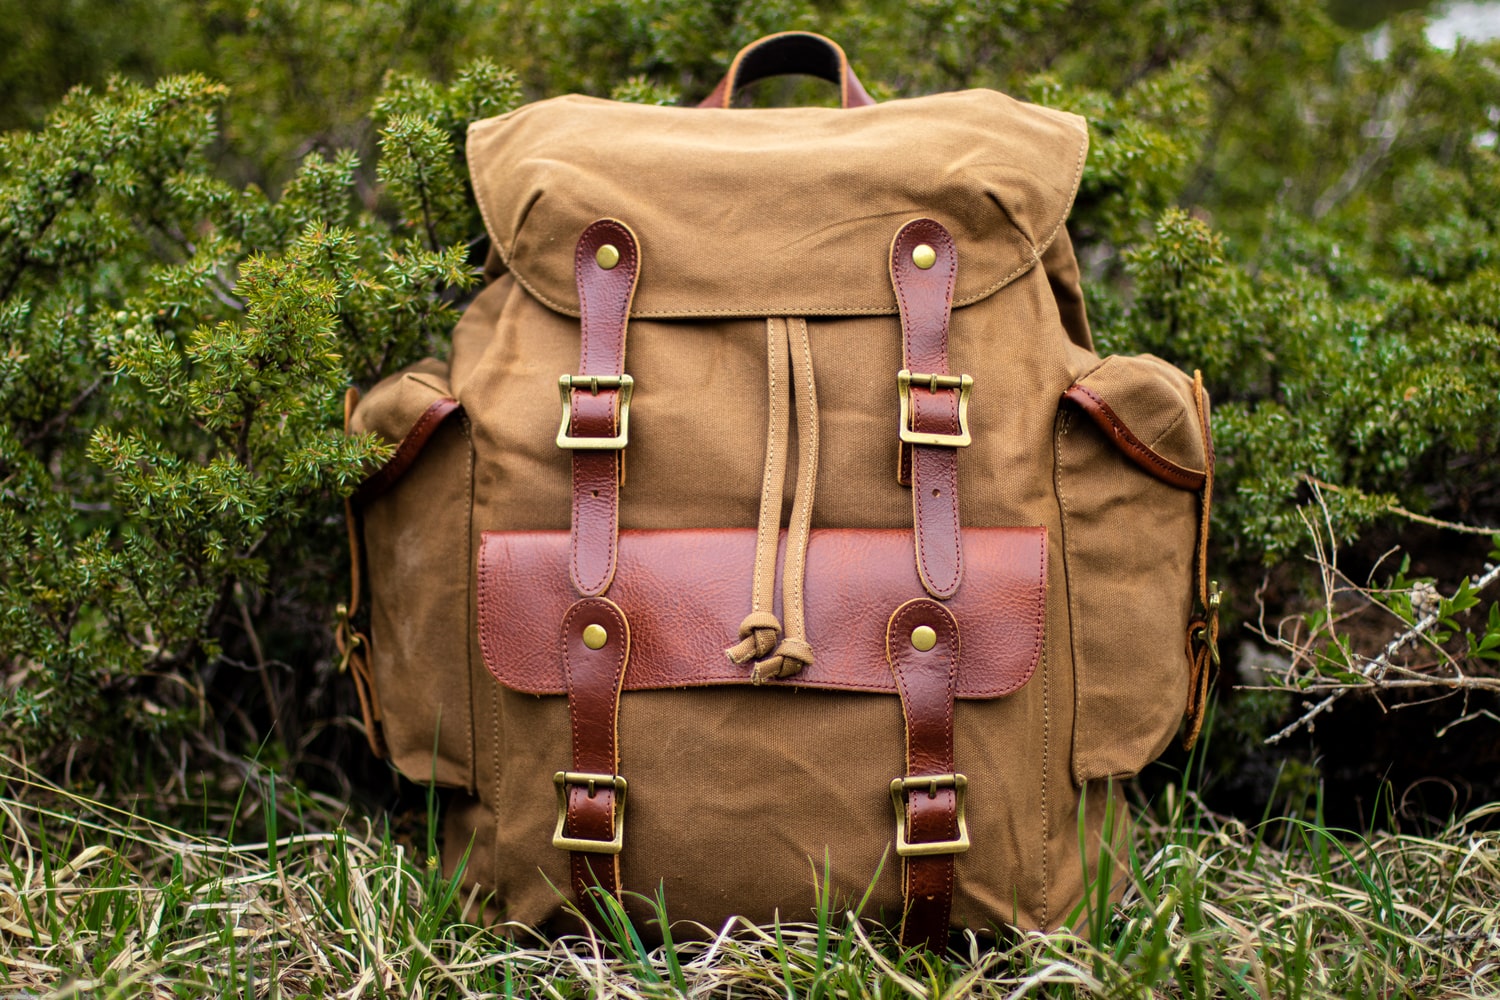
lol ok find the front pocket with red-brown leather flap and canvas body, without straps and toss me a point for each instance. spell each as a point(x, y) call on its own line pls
point(736, 789)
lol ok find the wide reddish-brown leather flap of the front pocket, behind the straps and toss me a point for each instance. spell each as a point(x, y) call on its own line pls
point(686, 590)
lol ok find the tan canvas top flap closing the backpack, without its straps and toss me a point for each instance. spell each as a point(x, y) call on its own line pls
point(781, 211)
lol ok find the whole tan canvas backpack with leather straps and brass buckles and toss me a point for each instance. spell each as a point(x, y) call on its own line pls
point(775, 510)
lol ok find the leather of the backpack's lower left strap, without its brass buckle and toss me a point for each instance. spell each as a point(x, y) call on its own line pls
point(593, 701)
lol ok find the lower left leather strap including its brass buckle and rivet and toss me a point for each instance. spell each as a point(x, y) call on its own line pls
point(592, 794)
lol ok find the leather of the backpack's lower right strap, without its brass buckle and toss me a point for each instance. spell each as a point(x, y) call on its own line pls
point(928, 683)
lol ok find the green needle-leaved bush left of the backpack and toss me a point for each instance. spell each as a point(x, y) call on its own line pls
point(176, 353)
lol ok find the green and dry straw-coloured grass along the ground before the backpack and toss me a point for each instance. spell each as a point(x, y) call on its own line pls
point(101, 902)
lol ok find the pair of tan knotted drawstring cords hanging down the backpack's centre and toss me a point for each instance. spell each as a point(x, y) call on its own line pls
point(761, 627)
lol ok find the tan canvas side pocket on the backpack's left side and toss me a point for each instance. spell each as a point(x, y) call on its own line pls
point(415, 515)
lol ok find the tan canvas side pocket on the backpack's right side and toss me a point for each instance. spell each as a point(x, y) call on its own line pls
point(1132, 464)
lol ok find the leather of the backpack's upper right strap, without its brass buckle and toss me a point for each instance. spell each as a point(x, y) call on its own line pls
point(926, 304)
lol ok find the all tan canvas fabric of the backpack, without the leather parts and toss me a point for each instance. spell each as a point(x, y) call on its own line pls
point(737, 794)
